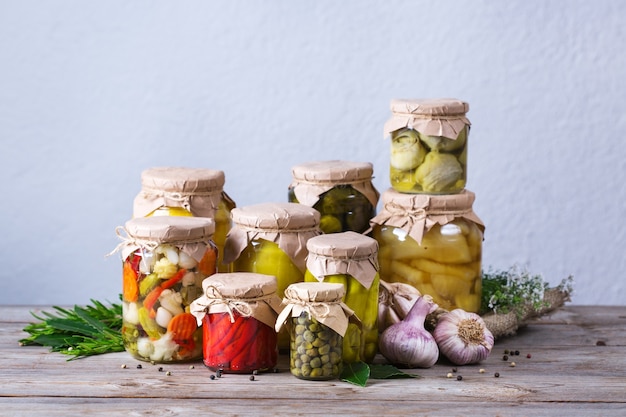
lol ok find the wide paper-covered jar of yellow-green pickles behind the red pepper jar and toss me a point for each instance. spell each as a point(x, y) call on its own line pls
point(270, 238)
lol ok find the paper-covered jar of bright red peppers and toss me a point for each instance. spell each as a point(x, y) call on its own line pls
point(238, 312)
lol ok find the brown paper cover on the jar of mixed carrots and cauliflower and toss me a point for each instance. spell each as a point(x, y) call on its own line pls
point(192, 235)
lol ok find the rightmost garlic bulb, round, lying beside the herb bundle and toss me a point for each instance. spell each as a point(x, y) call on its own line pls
point(463, 337)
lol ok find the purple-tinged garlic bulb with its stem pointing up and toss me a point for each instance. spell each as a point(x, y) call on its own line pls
point(407, 343)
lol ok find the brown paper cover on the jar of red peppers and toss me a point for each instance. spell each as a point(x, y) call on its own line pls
point(249, 294)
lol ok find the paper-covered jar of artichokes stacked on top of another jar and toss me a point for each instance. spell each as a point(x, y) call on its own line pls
point(428, 145)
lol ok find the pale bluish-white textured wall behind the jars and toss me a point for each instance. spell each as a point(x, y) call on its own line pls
point(92, 93)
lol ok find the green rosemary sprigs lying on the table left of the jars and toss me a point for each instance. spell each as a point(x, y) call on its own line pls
point(81, 331)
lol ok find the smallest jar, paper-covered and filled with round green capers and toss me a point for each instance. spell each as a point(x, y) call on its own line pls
point(317, 320)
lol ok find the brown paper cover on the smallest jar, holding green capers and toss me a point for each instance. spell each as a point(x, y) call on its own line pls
point(320, 299)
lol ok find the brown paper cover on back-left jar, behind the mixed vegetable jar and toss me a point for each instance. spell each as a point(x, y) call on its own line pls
point(197, 190)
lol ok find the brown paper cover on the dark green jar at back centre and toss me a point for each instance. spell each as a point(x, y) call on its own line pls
point(312, 179)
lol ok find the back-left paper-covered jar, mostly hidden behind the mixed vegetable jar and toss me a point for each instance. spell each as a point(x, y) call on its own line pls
point(176, 191)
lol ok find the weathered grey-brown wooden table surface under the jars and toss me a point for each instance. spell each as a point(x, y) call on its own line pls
point(577, 368)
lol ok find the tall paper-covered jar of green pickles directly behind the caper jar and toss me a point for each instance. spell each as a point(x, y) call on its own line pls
point(350, 259)
